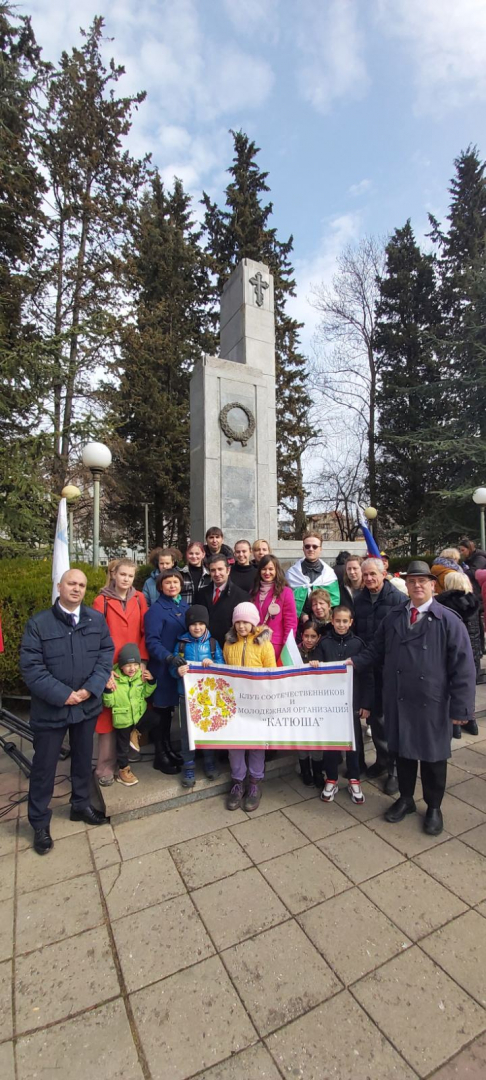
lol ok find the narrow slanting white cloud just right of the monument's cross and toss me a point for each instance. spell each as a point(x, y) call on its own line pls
point(319, 271)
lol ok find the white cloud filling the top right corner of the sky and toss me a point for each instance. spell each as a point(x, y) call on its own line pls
point(447, 43)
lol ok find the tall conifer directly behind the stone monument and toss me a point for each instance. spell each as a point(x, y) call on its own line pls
point(241, 232)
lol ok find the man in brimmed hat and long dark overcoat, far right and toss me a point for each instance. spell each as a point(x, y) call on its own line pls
point(429, 684)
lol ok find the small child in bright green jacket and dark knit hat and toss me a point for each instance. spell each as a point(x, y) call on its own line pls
point(128, 704)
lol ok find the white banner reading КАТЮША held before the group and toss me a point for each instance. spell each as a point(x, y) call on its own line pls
point(278, 708)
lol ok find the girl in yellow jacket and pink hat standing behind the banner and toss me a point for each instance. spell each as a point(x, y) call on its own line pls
point(248, 645)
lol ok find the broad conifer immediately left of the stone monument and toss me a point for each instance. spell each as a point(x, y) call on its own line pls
point(168, 275)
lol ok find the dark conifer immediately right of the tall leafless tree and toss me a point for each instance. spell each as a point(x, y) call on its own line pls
point(411, 409)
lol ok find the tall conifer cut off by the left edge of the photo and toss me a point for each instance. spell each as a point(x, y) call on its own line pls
point(23, 362)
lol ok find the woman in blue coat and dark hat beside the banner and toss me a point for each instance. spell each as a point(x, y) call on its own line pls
point(164, 625)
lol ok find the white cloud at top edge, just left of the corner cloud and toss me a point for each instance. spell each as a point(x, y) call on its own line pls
point(330, 44)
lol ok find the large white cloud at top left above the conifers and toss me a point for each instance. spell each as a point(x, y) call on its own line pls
point(193, 84)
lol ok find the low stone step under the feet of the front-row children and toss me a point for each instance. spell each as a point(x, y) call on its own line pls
point(156, 792)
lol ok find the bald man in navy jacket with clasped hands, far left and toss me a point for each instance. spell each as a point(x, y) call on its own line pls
point(66, 660)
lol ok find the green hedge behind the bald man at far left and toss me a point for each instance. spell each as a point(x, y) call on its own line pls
point(25, 588)
